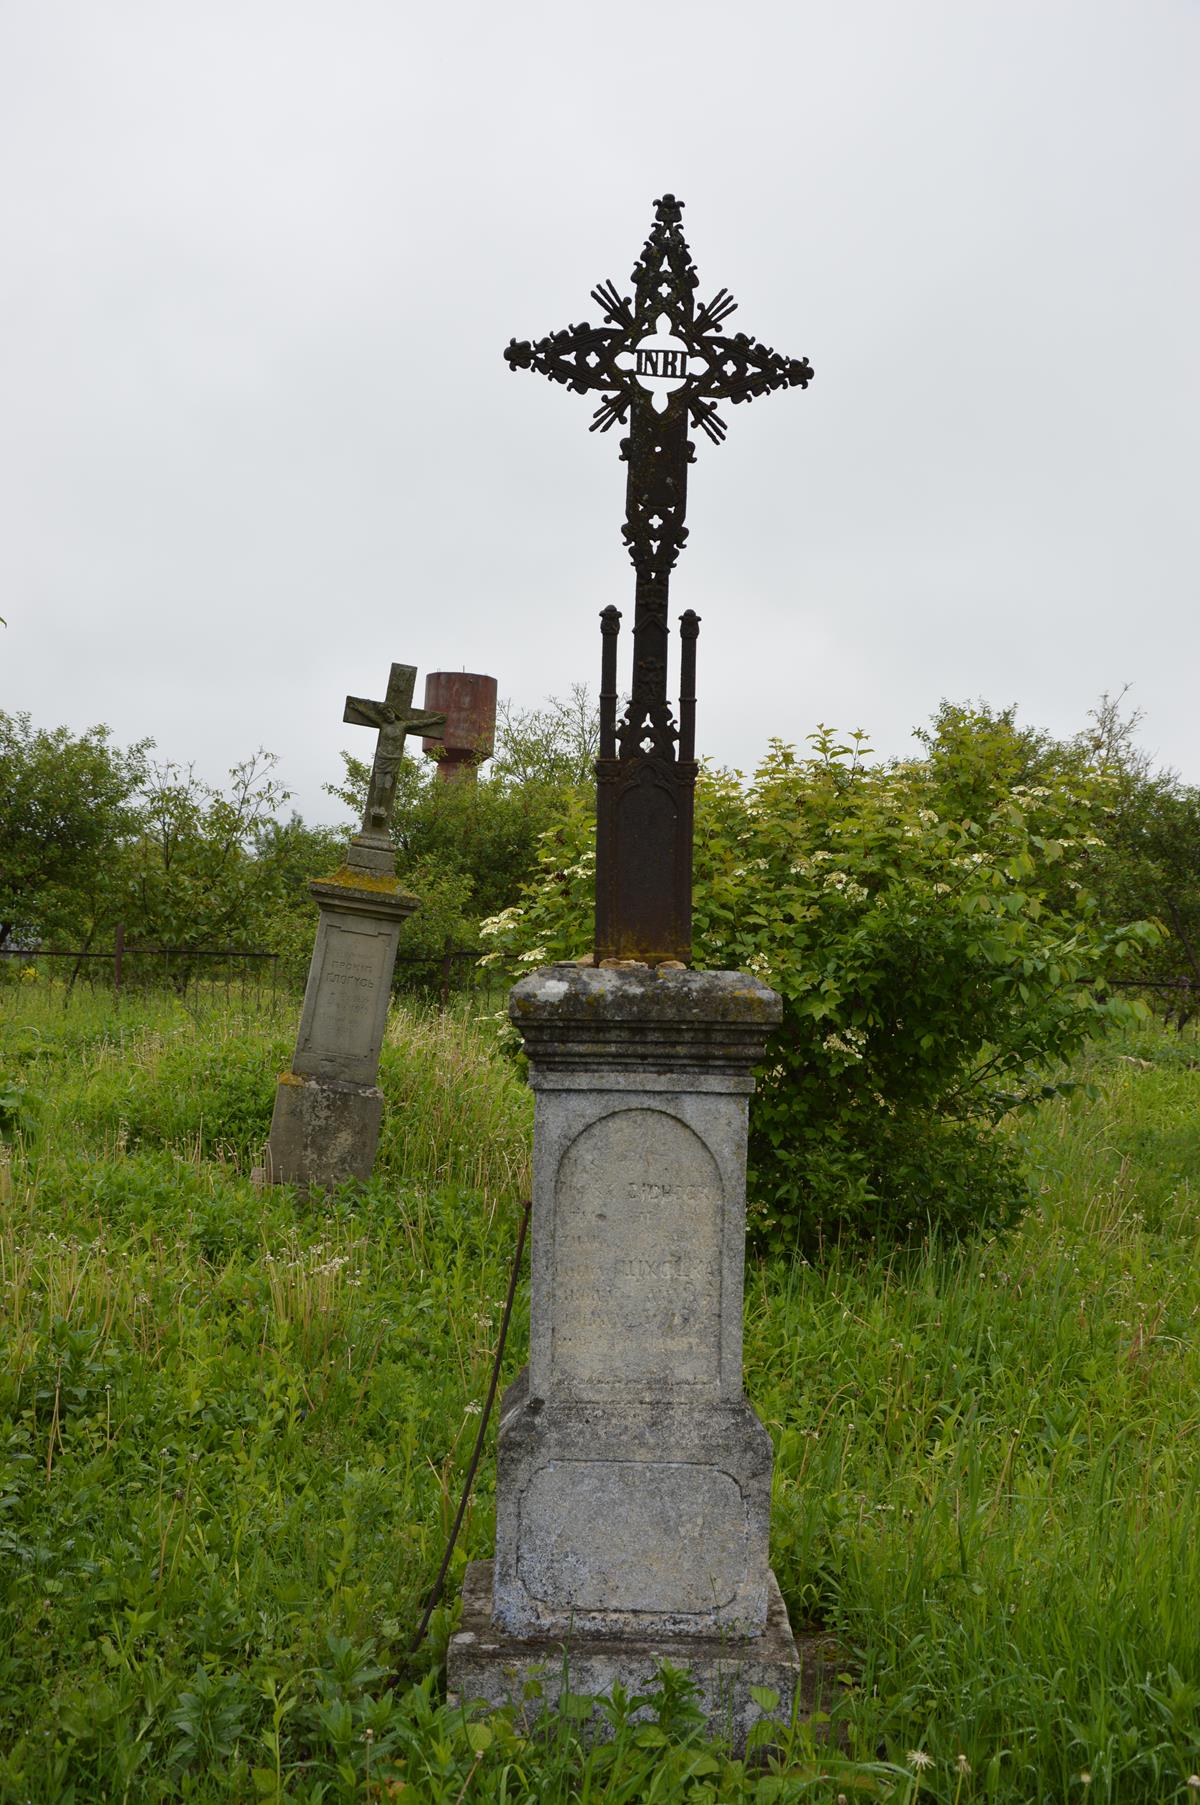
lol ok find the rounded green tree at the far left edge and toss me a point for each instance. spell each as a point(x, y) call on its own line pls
point(66, 810)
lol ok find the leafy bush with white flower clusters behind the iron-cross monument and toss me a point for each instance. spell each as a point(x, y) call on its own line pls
point(934, 976)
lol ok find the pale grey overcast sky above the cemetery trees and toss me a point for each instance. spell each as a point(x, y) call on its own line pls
point(259, 263)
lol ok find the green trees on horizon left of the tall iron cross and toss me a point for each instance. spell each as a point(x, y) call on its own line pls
point(95, 835)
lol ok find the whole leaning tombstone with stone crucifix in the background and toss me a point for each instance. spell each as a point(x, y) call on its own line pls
point(329, 1107)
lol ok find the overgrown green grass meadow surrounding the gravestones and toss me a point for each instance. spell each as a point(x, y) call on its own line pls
point(234, 1429)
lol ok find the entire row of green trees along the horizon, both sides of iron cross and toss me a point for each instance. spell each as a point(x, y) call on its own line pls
point(95, 835)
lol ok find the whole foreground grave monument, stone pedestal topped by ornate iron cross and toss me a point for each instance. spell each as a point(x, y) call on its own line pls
point(632, 1476)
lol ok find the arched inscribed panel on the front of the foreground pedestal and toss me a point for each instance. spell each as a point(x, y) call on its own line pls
point(638, 1239)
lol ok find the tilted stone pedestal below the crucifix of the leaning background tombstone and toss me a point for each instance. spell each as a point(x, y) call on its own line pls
point(328, 1109)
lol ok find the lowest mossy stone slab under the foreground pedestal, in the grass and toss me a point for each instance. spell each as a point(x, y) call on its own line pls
point(485, 1663)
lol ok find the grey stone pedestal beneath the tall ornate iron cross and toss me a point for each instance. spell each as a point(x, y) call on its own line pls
point(634, 1481)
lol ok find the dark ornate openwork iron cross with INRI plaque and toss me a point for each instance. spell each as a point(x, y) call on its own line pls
point(661, 364)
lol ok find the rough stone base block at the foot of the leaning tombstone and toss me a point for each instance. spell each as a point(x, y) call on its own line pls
point(324, 1133)
